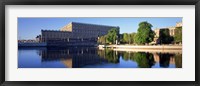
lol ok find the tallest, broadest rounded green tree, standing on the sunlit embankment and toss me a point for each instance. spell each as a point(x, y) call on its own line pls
point(144, 33)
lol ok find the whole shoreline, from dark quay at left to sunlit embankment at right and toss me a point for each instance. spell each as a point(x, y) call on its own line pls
point(140, 47)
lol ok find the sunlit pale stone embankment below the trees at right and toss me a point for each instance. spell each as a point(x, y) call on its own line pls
point(144, 48)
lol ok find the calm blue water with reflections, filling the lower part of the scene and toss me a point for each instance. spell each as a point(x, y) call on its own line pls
point(94, 58)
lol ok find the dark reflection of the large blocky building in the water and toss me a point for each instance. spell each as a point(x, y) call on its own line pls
point(73, 58)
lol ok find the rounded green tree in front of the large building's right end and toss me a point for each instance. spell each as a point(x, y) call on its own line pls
point(112, 35)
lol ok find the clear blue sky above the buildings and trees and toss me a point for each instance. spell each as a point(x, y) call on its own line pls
point(29, 28)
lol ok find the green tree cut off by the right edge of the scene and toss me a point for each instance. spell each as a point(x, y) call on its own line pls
point(178, 34)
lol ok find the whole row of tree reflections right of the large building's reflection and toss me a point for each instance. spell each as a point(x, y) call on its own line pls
point(143, 59)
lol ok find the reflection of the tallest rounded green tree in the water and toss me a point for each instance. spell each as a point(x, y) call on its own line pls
point(144, 60)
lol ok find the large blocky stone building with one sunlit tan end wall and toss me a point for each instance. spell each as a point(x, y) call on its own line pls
point(76, 32)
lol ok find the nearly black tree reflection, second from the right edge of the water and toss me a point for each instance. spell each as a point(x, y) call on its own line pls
point(164, 59)
